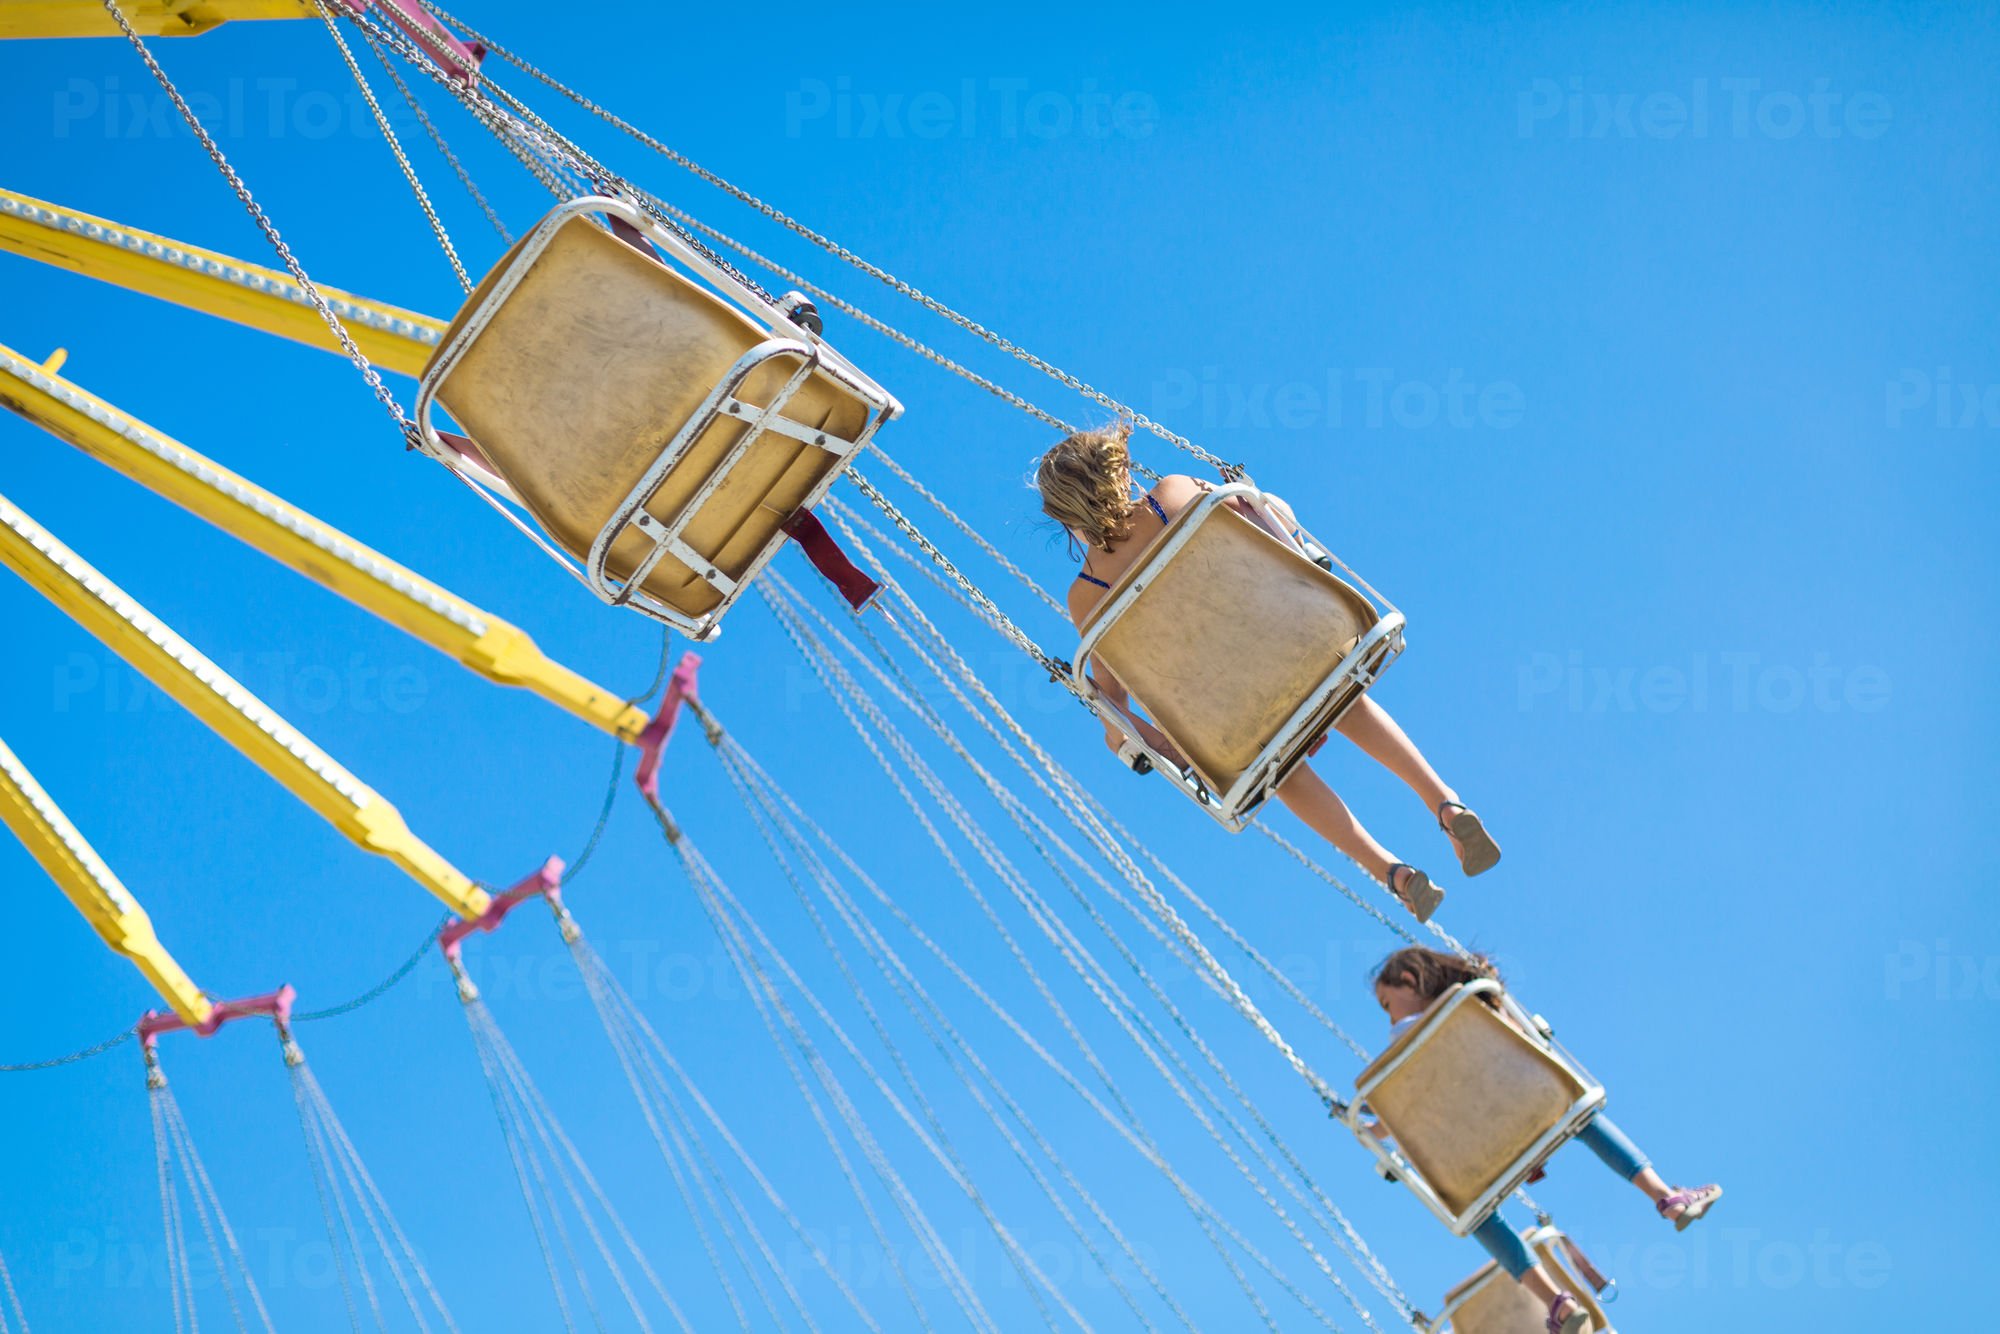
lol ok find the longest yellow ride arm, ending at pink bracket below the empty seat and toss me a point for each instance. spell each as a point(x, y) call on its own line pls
point(477, 639)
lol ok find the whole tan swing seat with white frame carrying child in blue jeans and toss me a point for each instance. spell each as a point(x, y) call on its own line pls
point(1473, 1101)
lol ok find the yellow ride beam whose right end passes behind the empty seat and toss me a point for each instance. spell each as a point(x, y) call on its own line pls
point(263, 299)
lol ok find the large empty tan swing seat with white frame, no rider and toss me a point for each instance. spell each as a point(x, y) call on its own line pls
point(659, 423)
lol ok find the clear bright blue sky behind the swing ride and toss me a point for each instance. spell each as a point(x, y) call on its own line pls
point(1643, 355)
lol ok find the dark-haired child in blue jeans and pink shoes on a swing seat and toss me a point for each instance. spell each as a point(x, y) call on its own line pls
point(1407, 985)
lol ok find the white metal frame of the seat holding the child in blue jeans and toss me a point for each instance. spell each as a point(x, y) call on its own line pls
point(1397, 1167)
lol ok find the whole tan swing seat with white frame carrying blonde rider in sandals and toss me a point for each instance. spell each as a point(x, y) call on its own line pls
point(1239, 647)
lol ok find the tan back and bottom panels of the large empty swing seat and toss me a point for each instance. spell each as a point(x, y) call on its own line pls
point(591, 365)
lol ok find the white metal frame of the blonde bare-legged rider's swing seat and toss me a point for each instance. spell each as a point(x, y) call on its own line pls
point(1307, 725)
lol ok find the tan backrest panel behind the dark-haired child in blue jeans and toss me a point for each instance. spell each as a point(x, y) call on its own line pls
point(1471, 1099)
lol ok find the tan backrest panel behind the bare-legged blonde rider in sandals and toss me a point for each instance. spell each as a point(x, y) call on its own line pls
point(1229, 637)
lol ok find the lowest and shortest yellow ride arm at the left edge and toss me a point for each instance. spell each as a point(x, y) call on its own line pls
point(91, 885)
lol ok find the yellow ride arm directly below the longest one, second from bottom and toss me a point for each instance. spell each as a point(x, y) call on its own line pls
point(227, 707)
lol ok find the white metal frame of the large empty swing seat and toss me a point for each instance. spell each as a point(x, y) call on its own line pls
point(631, 517)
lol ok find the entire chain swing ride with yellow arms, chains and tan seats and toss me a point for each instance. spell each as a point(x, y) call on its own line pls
point(663, 427)
